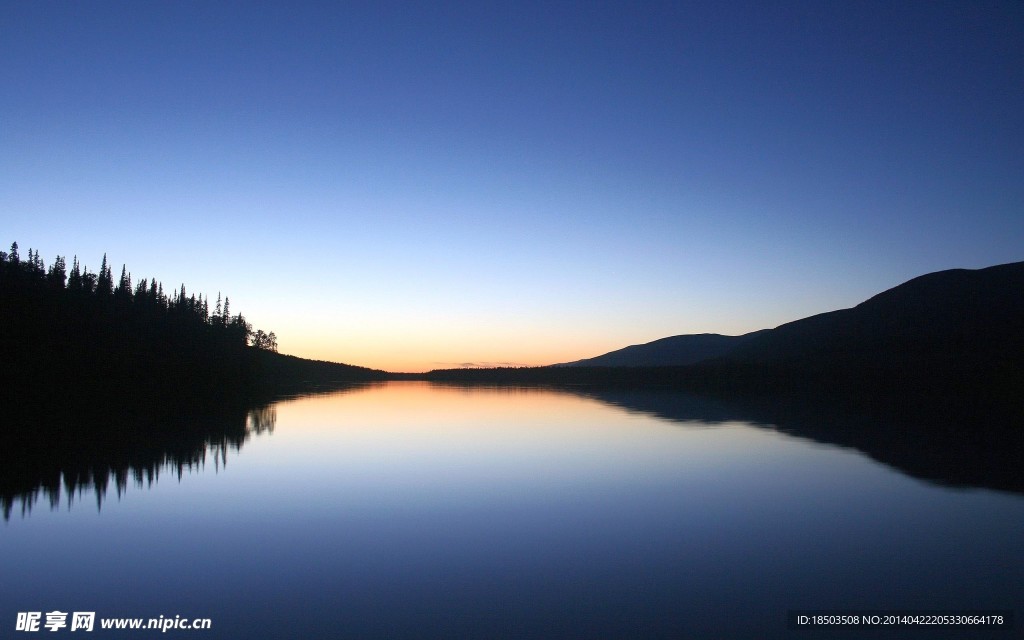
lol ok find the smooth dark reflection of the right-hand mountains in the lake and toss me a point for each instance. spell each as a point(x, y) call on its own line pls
point(954, 446)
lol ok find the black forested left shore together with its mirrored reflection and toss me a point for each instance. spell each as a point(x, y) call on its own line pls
point(104, 378)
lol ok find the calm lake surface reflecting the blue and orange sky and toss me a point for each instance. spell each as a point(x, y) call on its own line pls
point(409, 510)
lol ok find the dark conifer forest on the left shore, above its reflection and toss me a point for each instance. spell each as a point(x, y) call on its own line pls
point(74, 335)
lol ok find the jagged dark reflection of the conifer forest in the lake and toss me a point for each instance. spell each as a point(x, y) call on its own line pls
point(46, 456)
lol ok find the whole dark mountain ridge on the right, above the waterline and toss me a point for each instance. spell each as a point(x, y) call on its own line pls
point(956, 319)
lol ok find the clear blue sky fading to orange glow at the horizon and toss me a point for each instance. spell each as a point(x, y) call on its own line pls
point(417, 186)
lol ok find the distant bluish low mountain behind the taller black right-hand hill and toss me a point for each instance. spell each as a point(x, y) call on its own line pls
point(673, 352)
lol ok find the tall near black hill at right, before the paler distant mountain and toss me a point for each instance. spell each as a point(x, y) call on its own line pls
point(954, 325)
